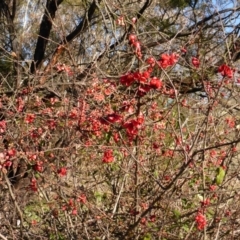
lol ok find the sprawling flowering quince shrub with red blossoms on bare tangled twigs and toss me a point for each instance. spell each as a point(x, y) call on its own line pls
point(139, 155)
